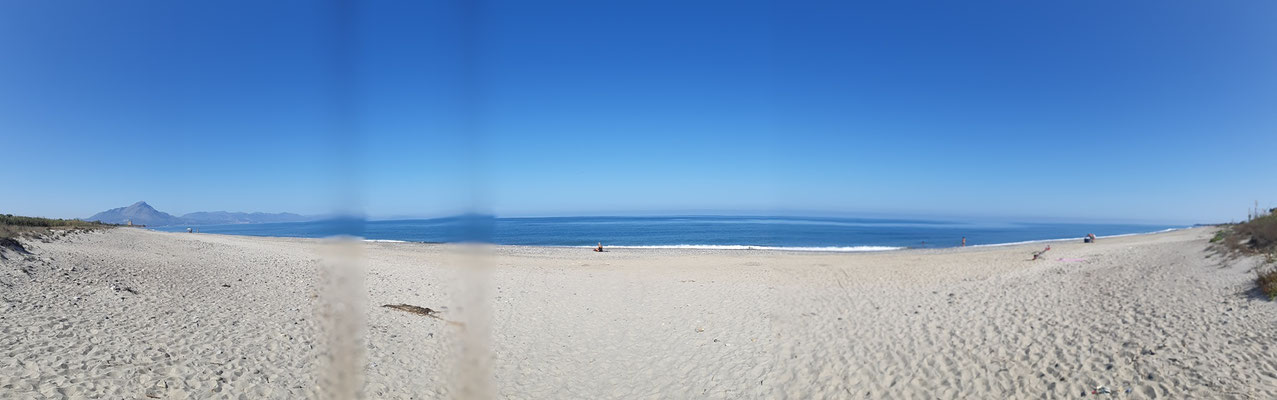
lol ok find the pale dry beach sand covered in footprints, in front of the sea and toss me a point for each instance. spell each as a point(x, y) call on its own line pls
point(131, 314)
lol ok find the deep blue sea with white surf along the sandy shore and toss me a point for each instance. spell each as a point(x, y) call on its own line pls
point(819, 235)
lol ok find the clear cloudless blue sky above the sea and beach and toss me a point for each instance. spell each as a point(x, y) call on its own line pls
point(1161, 112)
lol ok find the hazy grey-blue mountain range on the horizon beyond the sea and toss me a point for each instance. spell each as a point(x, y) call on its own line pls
point(142, 214)
